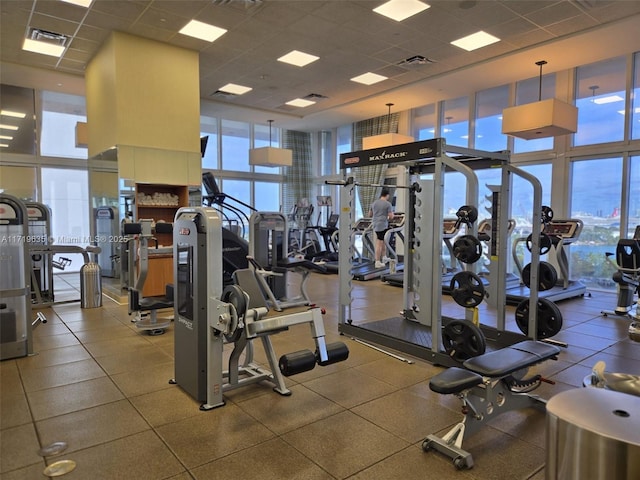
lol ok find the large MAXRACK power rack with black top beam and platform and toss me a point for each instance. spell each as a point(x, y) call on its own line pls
point(418, 331)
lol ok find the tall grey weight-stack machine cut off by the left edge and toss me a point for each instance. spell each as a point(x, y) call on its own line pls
point(16, 326)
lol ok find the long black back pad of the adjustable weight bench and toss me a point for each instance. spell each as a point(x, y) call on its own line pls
point(511, 359)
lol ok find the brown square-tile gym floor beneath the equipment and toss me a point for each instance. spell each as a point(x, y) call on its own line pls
point(100, 385)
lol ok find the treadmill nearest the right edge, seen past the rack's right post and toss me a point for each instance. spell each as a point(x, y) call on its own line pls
point(557, 235)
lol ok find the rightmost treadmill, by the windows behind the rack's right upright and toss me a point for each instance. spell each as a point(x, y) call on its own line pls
point(565, 232)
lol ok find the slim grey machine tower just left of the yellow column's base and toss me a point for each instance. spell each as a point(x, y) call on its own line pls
point(106, 226)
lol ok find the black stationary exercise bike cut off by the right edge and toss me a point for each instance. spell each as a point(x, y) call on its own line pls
point(627, 278)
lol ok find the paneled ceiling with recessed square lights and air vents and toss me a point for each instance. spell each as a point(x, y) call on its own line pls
point(349, 38)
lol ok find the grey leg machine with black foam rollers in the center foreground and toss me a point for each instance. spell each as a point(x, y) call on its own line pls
point(209, 315)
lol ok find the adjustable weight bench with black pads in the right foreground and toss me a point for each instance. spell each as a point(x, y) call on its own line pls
point(488, 385)
